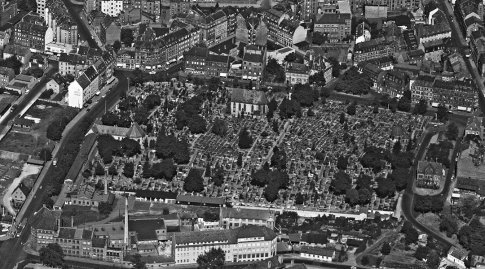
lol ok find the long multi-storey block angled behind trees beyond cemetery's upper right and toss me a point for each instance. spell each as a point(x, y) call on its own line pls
point(373, 49)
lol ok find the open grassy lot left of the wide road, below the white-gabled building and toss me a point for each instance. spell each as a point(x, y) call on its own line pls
point(32, 141)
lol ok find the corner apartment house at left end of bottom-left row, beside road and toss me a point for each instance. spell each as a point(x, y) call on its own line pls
point(44, 226)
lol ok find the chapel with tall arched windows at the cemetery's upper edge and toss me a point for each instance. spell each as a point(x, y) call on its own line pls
point(248, 102)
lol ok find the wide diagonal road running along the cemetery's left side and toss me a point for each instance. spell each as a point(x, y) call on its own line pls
point(11, 250)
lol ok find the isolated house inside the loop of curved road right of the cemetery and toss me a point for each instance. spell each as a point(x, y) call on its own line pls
point(429, 175)
